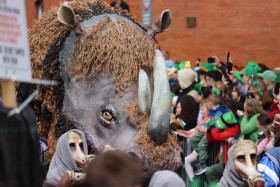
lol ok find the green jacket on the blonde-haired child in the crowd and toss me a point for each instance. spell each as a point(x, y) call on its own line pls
point(249, 128)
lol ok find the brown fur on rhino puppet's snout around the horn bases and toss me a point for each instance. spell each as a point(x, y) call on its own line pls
point(149, 148)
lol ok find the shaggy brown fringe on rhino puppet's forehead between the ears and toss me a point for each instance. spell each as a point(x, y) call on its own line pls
point(114, 49)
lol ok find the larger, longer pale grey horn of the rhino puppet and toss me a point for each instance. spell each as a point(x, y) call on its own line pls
point(160, 113)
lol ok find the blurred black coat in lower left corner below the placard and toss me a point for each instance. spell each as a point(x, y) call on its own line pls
point(19, 149)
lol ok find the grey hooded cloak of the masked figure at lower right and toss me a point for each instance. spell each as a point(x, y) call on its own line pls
point(230, 176)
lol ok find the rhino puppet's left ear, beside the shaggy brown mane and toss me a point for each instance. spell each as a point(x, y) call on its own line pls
point(66, 16)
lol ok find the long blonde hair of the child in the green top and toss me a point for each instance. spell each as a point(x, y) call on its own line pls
point(252, 107)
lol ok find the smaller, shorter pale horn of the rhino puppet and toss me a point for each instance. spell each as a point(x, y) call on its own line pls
point(144, 92)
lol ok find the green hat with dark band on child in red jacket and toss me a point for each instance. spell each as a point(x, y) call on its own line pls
point(226, 120)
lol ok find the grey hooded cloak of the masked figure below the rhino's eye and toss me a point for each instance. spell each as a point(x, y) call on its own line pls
point(63, 159)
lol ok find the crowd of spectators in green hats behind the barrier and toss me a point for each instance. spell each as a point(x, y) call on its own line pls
point(215, 105)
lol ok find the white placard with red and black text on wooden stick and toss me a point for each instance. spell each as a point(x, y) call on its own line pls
point(14, 48)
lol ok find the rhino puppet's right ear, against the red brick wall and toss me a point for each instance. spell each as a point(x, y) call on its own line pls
point(162, 24)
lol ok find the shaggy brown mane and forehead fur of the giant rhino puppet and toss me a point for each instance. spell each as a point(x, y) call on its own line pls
point(46, 39)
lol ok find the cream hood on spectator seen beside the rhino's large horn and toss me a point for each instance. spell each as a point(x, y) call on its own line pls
point(186, 78)
